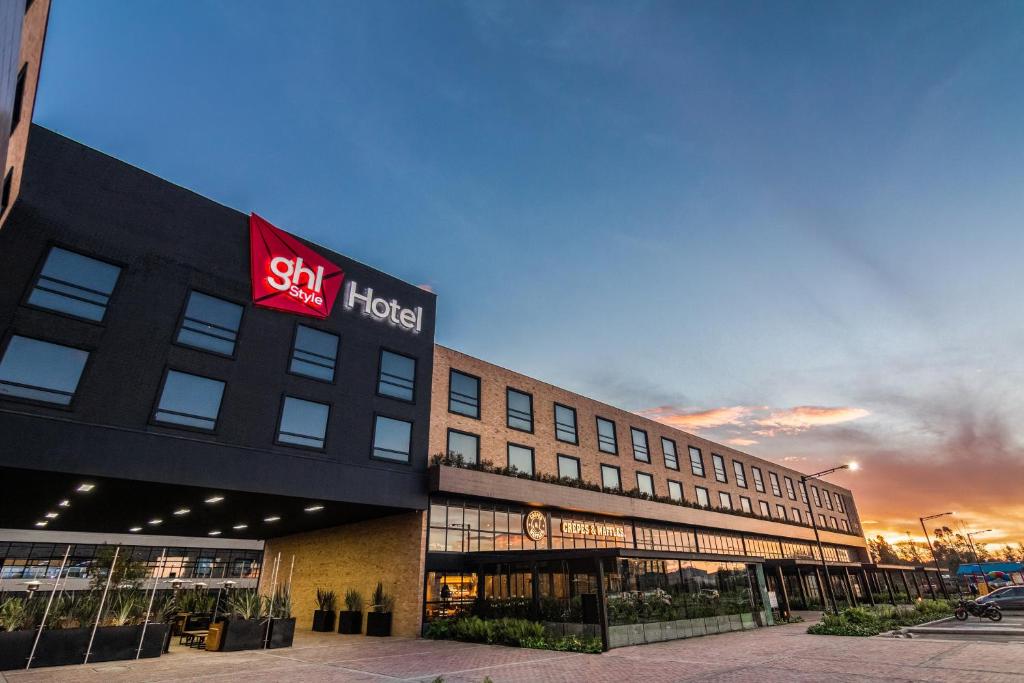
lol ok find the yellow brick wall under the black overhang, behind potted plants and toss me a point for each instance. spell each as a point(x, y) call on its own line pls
point(358, 556)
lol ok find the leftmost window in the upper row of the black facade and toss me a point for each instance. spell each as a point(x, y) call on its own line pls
point(76, 285)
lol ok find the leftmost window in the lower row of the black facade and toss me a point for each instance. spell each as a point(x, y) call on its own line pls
point(41, 371)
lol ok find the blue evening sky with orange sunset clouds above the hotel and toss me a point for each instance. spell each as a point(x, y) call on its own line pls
point(796, 228)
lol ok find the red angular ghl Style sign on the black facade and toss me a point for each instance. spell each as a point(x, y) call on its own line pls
point(288, 276)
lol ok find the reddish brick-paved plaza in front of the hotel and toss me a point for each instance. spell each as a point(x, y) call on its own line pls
point(782, 654)
